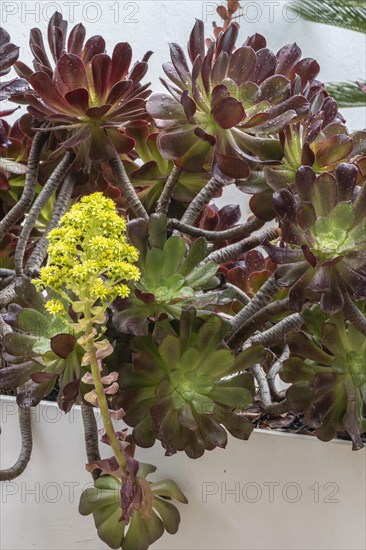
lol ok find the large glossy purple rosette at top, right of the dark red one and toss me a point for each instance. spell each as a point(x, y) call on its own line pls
point(231, 104)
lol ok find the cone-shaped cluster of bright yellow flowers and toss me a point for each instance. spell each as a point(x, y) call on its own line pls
point(89, 255)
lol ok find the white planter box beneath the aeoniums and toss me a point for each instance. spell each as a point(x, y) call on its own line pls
point(276, 491)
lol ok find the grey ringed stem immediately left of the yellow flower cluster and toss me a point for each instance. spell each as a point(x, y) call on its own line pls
point(40, 251)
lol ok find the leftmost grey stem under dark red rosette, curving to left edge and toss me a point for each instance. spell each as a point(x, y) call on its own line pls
point(14, 215)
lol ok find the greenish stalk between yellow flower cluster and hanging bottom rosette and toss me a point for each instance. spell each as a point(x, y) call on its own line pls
point(103, 406)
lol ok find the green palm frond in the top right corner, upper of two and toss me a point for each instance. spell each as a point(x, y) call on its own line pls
point(348, 14)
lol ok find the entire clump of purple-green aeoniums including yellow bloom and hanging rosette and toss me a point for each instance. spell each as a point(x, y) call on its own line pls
point(123, 288)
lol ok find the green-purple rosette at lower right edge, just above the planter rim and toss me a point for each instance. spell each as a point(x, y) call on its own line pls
point(327, 370)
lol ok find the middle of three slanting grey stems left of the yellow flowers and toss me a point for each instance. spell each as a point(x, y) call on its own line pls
point(53, 182)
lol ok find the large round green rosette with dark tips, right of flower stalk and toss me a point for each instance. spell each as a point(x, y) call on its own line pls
point(190, 390)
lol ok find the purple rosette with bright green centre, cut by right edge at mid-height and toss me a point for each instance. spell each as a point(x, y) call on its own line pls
point(322, 253)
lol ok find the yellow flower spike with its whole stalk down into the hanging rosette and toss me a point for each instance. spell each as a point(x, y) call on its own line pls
point(89, 265)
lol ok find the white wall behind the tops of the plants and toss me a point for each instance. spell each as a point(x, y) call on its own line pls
point(151, 25)
